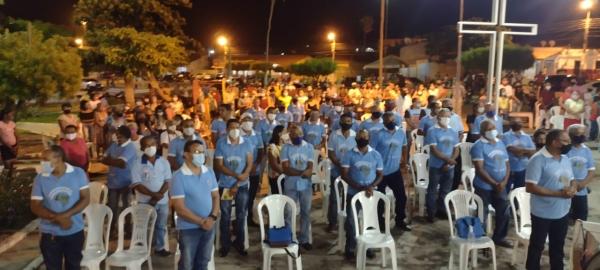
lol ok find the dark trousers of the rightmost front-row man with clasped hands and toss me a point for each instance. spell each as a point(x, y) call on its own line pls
point(556, 231)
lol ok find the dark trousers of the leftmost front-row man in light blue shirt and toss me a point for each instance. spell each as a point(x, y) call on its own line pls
point(56, 248)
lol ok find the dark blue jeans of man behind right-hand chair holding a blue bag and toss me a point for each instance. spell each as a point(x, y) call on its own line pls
point(500, 204)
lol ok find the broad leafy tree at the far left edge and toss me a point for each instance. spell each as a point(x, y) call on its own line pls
point(34, 67)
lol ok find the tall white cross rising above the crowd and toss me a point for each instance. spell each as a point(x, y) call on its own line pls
point(497, 42)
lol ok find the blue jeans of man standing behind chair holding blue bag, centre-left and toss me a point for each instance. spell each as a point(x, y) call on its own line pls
point(305, 199)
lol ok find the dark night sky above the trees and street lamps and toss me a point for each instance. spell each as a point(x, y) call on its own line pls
point(299, 22)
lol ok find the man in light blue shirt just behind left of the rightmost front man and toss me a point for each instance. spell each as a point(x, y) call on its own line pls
point(520, 147)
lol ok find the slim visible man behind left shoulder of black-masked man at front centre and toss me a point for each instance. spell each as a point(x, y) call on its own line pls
point(340, 142)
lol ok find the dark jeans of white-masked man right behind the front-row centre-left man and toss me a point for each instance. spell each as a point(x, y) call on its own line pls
point(241, 210)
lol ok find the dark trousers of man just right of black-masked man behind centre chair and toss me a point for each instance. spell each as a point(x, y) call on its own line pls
point(396, 184)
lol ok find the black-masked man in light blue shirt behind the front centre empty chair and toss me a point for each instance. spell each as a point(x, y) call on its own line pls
point(362, 169)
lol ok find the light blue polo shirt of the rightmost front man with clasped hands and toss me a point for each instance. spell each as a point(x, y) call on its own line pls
point(547, 172)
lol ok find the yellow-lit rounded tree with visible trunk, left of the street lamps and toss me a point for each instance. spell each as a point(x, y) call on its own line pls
point(134, 53)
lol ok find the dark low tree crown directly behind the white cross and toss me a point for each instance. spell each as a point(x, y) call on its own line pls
point(516, 58)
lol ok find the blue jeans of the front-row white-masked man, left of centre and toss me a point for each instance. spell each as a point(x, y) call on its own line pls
point(196, 247)
